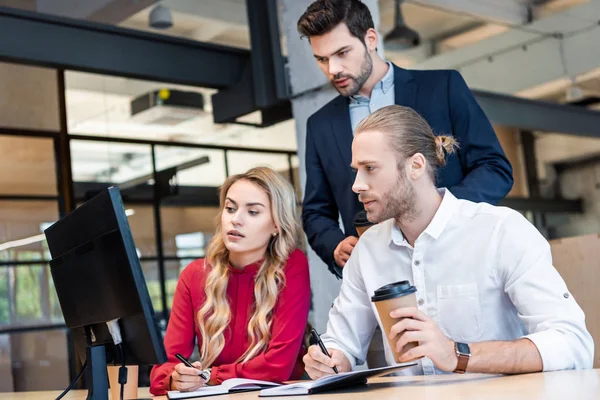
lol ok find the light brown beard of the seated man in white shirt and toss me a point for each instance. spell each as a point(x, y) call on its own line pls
point(399, 202)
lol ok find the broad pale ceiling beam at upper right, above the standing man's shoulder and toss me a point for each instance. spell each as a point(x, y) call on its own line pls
point(559, 46)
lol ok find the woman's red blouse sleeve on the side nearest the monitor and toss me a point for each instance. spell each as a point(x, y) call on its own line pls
point(180, 336)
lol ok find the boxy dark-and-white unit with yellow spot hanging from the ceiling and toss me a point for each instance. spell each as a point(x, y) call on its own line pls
point(167, 107)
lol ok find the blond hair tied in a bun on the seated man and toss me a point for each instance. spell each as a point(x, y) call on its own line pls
point(408, 134)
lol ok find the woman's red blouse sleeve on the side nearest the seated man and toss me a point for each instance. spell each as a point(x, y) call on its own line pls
point(290, 315)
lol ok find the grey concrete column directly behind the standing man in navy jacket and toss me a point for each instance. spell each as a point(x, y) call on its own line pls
point(311, 91)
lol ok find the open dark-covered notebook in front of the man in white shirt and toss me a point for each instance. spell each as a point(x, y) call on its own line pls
point(332, 382)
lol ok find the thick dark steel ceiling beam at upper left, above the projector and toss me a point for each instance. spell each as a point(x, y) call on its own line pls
point(59, 42)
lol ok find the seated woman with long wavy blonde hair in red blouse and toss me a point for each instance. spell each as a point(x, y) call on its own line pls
point(247, 303)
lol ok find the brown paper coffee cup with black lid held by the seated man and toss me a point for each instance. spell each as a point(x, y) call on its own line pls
point(388, 298)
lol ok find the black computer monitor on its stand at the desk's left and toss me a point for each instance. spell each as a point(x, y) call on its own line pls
point(98, 278)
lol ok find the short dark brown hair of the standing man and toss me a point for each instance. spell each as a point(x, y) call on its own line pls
point(324, 15)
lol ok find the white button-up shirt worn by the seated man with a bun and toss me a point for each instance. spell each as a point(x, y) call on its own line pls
point(482, 273)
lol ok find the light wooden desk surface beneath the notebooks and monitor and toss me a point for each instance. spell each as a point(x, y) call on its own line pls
point(563, 385)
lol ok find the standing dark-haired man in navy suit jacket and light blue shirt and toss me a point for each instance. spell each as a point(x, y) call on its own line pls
point(344, 42)
